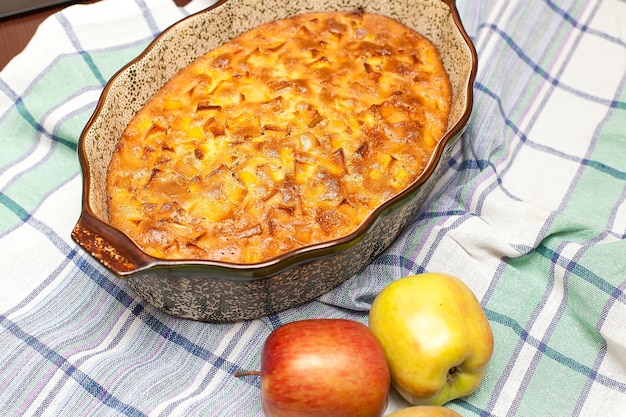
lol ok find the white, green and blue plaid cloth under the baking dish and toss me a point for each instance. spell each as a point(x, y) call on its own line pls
point(530, 213)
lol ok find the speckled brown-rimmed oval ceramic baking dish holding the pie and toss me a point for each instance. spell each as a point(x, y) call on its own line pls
point(222, 292)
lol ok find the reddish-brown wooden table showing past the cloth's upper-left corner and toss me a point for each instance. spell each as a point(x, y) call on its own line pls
point(15, 32)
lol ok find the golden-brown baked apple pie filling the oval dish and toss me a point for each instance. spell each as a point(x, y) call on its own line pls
point(287, 136)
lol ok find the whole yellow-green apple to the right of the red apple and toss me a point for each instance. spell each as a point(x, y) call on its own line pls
point(436, 337)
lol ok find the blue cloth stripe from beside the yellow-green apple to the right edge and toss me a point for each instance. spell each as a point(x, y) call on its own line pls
point(560, 358)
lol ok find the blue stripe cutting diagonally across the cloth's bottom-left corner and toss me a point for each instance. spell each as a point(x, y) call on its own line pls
point(82, 379)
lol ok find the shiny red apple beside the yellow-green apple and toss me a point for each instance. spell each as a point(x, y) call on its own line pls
point(324, 367)
